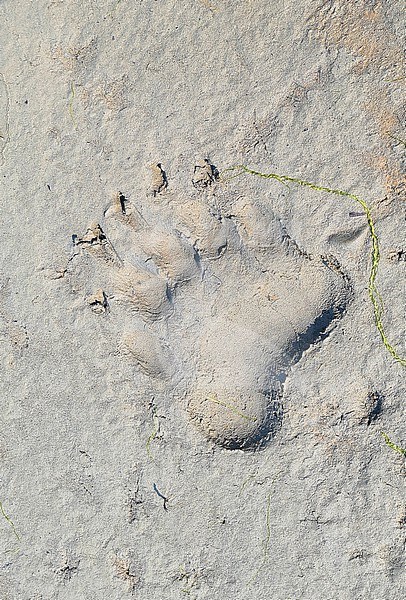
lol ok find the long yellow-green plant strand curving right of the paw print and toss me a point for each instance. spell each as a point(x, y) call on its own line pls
point(375, 255)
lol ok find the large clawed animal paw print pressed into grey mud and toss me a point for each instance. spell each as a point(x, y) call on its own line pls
point(222, 302)
